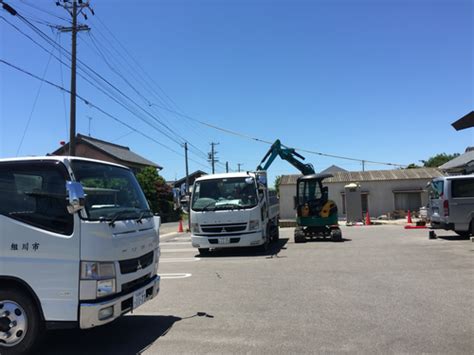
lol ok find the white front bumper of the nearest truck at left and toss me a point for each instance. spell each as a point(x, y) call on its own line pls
point(89, 312)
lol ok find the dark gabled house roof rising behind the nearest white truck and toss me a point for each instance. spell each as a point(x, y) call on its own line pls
point(93, 148)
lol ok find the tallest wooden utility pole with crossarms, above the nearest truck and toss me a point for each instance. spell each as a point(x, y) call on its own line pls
point(74, 8)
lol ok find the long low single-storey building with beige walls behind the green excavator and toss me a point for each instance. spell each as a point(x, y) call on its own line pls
point(383, 191)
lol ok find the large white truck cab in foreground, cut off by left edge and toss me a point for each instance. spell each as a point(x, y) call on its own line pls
point(79, 246)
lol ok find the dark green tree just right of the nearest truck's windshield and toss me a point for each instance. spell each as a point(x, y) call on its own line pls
point(158, 193)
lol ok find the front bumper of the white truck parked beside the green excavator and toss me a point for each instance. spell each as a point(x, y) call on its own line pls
point(235, 240)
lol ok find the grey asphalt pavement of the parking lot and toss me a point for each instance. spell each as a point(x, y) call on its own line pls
point(383, 290)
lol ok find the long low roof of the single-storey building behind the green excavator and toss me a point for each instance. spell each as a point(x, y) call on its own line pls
point(373, 175)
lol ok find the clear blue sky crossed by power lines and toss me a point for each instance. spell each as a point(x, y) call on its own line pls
point(376, 80)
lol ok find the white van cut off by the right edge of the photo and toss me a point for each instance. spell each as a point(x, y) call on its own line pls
point(452, 204)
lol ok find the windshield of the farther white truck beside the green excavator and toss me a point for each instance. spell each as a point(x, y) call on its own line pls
point(224, 194)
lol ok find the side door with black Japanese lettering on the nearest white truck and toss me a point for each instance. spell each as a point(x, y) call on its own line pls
point(39, 241)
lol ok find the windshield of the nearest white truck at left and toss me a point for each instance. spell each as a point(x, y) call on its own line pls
point(112, 192)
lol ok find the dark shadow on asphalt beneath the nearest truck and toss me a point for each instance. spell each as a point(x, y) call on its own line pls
point(127, 335)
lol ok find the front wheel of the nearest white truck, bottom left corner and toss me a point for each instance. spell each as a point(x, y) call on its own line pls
point(20, 322)
